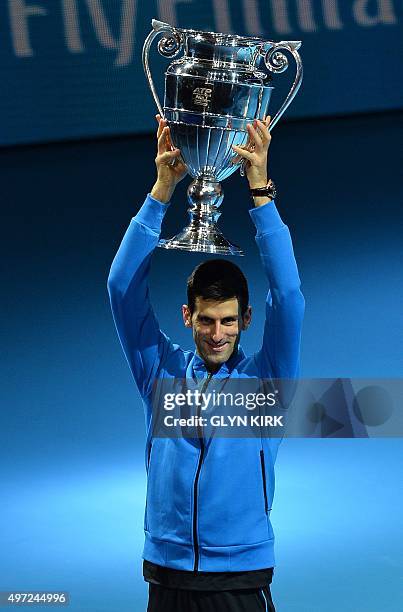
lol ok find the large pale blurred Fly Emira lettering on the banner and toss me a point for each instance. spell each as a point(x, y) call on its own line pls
point(286, 19)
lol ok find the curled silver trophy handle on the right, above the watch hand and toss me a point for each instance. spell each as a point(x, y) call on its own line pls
point(277, 62)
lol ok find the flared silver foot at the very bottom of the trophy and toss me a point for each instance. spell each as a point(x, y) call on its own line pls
point(200, 241)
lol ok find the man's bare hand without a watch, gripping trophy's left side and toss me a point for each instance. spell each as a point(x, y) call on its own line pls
point(170, 167)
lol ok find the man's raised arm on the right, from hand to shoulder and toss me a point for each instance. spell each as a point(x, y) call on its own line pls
point(285, 304)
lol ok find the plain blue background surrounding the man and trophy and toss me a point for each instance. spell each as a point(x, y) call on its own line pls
point(72, 428)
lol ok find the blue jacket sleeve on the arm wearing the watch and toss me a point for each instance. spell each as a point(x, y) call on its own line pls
point(285, 304)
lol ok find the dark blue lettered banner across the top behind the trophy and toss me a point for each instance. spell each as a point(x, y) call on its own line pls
point(72, 68)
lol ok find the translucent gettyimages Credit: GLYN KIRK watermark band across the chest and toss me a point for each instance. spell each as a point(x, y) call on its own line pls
point(247, 407)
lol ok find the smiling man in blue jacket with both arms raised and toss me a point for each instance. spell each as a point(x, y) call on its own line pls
point(209, 541)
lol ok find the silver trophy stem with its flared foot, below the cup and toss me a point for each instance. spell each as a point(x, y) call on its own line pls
point(205, 196)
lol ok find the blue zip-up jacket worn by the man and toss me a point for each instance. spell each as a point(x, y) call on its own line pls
point(208, 502)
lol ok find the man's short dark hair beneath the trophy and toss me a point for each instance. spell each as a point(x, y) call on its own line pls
point(218, 279)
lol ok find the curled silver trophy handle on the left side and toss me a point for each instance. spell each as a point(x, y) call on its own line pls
point(169, 46)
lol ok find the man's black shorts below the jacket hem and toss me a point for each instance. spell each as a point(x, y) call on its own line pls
point(164, 599)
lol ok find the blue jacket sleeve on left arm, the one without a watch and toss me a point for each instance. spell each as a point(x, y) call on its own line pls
point(144, 344)
